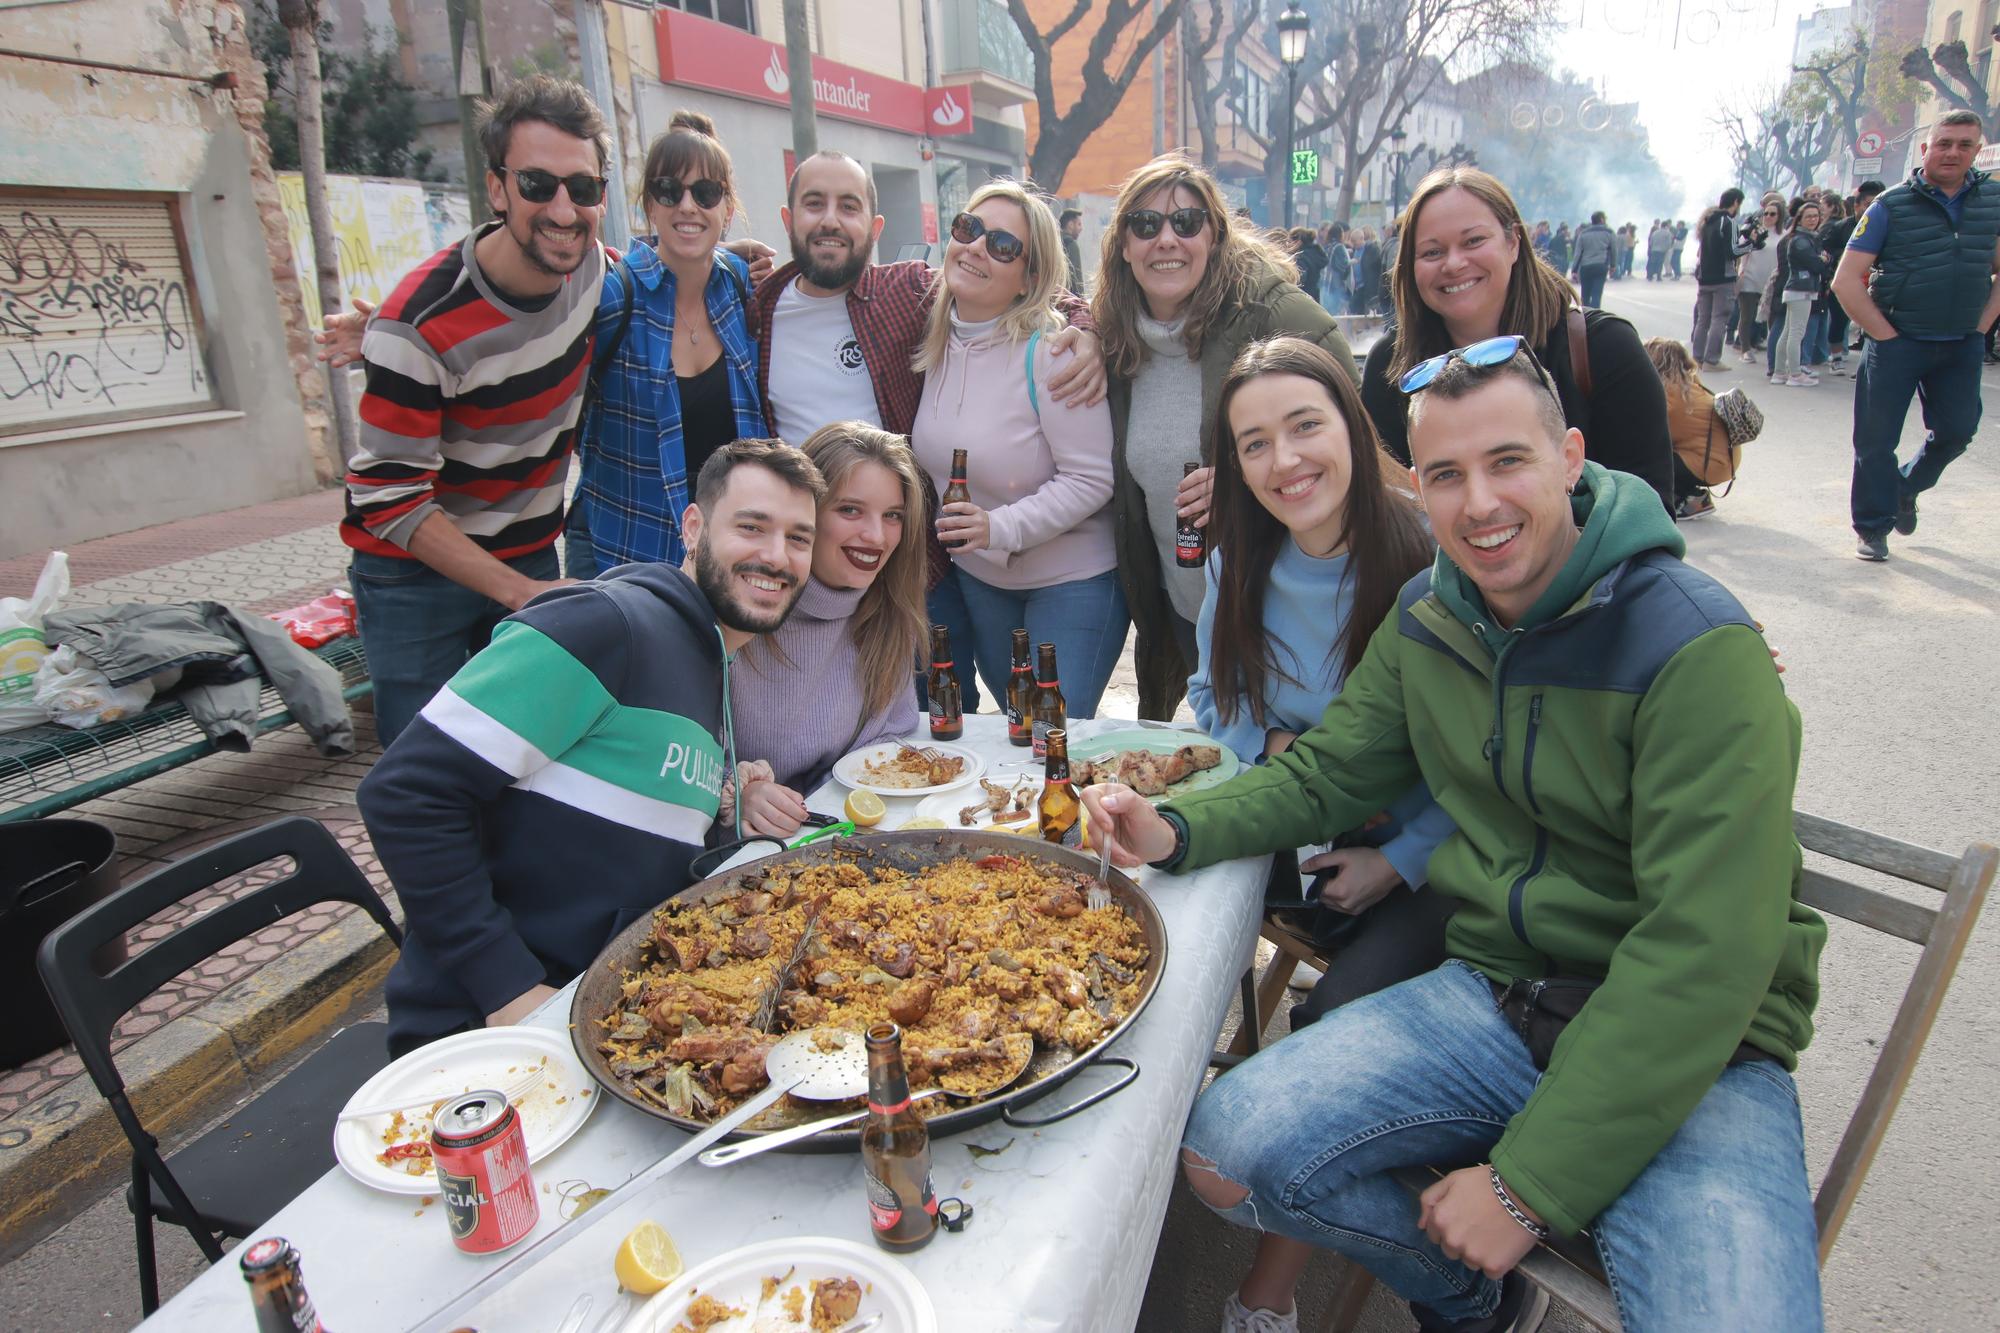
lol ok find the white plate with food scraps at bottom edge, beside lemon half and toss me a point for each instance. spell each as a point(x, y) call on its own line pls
point(739, 1280)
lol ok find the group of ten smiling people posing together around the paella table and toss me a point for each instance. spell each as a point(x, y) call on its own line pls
point(1445, 609)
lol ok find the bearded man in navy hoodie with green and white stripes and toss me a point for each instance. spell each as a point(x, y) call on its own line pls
point(563, 782)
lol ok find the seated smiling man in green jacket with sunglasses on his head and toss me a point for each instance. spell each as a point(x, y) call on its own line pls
point(1631, 976)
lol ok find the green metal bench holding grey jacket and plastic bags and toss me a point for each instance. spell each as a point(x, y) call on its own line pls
point(47, 770)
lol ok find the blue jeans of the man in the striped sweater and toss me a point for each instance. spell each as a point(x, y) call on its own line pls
point(421, 627)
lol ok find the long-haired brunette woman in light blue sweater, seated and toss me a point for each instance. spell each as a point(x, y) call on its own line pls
point(1311, 551)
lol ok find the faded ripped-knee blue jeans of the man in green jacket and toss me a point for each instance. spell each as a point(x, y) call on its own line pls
point(1715, 1234)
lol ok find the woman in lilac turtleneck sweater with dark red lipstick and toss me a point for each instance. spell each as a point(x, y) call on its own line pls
point(837, 674)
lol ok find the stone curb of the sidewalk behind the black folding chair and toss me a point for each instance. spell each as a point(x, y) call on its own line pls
point(65, 1150)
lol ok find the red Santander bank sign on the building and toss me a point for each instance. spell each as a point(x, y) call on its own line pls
point(709, 55)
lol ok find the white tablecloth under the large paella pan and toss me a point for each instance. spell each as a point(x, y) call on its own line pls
point(1067, 1218)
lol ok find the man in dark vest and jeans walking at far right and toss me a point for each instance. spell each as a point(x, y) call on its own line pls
point(1917, 277)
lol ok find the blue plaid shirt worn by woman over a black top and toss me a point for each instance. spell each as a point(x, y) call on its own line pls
point(635, 475)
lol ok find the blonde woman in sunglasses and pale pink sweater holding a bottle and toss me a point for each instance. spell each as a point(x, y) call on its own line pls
point(1035, 543)
